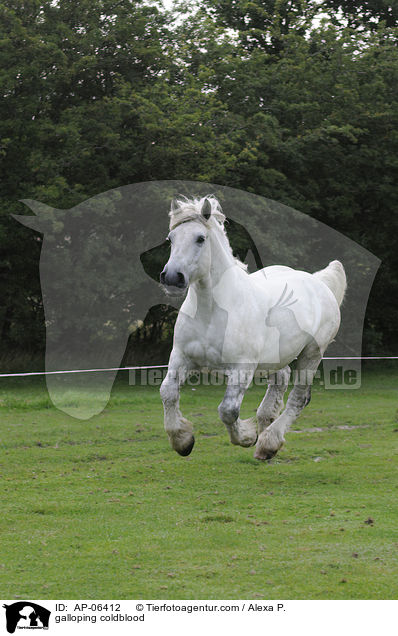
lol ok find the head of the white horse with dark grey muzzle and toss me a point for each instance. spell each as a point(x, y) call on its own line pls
point(190, 254)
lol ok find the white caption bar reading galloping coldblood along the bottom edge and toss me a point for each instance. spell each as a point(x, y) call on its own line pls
point(180, 617)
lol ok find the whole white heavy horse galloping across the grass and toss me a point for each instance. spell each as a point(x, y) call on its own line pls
point(236, 322)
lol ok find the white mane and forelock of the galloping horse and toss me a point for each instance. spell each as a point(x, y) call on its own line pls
point(184, 209)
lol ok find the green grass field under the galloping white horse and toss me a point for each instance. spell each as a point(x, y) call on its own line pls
point(103, 509)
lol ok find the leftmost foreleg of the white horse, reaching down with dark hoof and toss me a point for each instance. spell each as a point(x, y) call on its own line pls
point(179, 429)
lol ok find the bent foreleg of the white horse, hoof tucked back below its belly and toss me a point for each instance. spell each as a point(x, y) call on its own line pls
point(241, 432)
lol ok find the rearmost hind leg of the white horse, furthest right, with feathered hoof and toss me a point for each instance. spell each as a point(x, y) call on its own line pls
point(272, 438)
